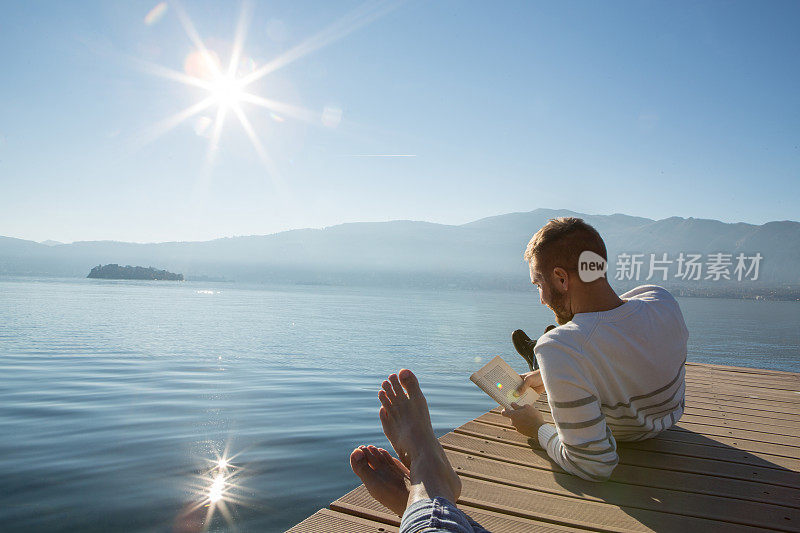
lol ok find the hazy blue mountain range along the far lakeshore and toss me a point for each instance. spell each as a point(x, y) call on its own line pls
point(484, 253)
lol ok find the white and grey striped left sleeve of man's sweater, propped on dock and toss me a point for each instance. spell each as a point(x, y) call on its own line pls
point(580, 442)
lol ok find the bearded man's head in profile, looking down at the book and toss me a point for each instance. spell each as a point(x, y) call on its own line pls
point(553, 255)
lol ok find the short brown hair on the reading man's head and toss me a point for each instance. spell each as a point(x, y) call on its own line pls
point(559, 243)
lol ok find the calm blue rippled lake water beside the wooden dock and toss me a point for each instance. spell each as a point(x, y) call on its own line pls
point(116, 396)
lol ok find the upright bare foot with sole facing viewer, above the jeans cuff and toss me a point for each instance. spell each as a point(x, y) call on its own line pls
point(407, 424)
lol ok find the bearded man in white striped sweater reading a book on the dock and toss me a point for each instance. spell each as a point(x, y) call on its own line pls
point(613, 369)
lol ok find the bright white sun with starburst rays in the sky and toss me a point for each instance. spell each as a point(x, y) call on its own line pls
point(229, 87)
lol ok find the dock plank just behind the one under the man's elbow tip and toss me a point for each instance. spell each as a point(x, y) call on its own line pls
point(711, 461)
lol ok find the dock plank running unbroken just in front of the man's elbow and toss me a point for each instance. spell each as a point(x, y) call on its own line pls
point(711, 506)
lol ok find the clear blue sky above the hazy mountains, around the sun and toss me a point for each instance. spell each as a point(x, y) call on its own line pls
point(646, 108)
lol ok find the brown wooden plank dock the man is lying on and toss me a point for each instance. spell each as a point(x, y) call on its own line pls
point(731, 464)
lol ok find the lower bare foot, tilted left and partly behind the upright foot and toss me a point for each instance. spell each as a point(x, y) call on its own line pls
point(386, 478)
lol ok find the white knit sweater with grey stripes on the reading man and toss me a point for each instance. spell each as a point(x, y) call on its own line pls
point(612, 376)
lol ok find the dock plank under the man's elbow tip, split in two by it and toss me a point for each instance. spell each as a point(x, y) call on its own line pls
point(691, 476)
